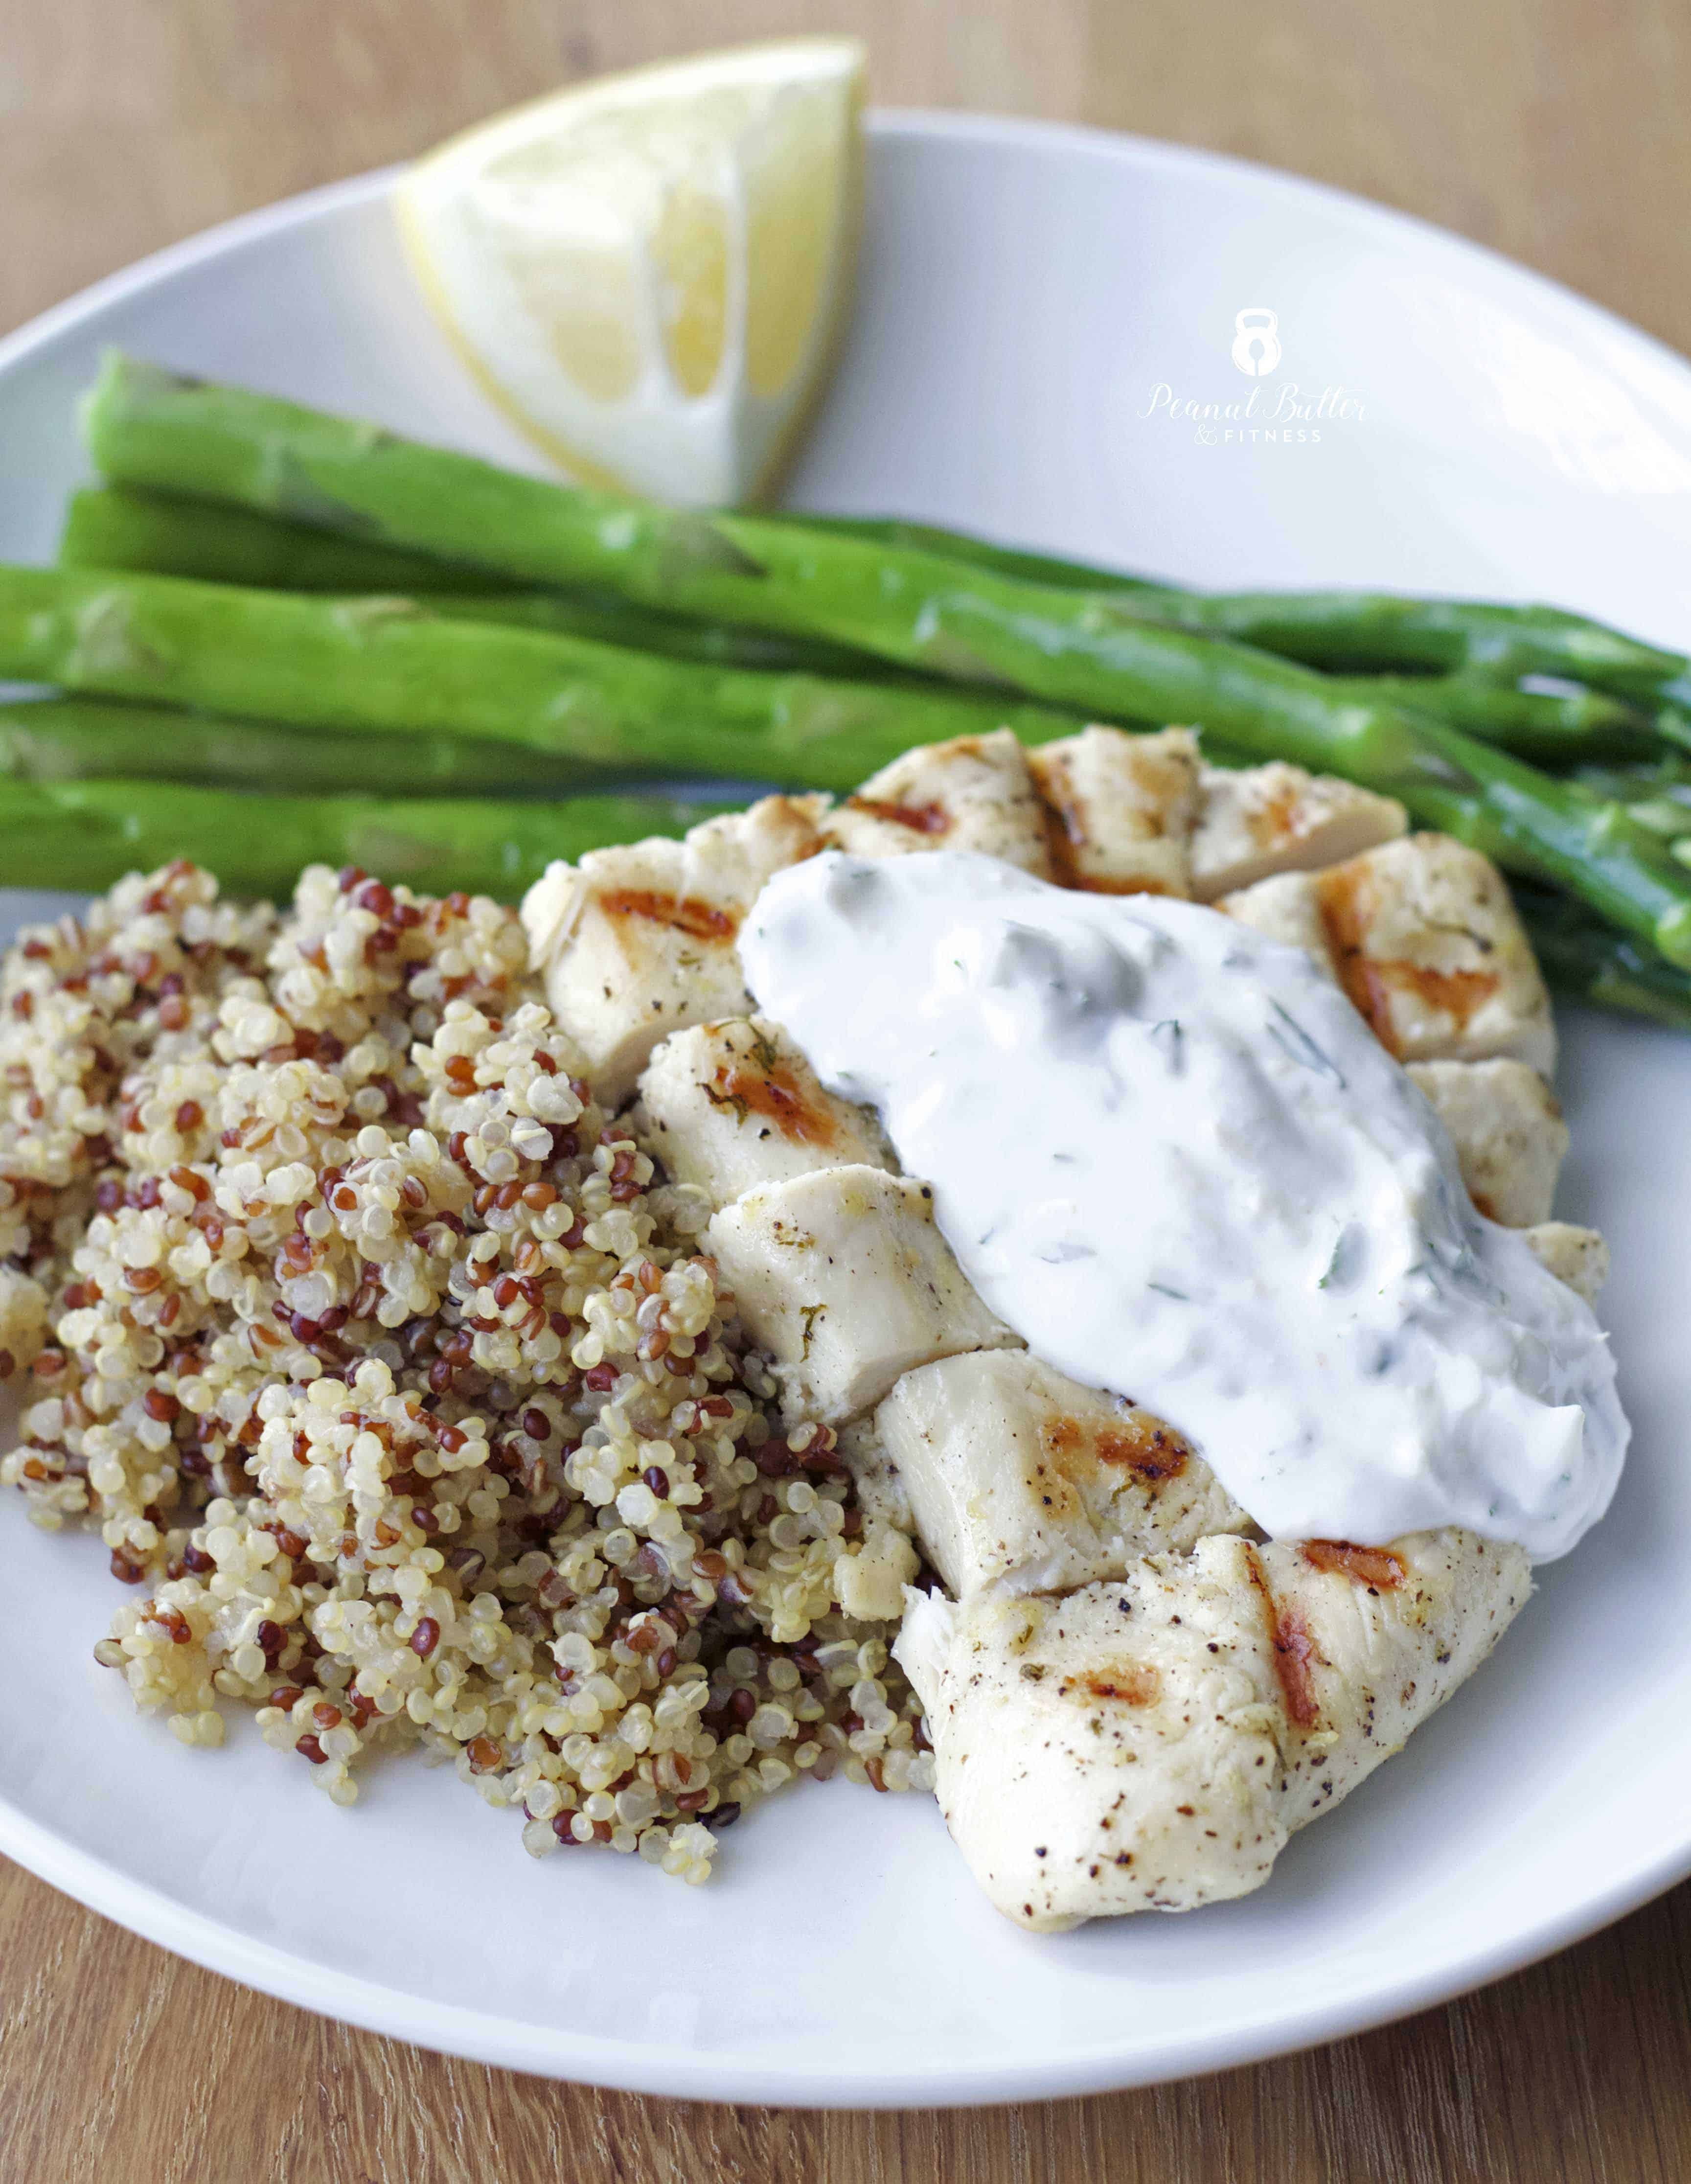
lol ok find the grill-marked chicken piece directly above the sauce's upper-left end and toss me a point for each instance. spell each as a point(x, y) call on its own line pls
point(969, 794)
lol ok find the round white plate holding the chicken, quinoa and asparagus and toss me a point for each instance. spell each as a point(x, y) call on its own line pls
point(1026, 294)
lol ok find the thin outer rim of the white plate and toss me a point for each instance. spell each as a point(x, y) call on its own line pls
point(750, 2078)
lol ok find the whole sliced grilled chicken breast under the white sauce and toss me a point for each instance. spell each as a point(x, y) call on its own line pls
point(1133, 1698)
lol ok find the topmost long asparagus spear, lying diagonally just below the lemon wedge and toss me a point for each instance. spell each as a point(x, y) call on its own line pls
point(914, 608)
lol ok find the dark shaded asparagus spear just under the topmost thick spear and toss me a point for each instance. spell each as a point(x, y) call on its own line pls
point(165, 536)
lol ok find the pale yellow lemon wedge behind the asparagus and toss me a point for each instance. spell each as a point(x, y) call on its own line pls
point(650, 272)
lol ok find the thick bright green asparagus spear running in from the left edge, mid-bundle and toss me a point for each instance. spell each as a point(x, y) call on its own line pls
point(394, 667)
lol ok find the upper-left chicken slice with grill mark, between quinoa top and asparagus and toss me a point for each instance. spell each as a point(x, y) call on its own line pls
point(639, 940)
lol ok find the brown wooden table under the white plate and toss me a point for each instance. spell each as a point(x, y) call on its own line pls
point(1554, 130)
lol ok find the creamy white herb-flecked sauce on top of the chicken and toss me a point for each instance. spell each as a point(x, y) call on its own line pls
point(1176, 1161)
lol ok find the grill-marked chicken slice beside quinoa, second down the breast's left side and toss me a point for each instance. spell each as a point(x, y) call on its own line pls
point(733, 1106)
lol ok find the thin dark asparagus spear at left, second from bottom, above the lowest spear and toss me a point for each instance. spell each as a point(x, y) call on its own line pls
point(69, 739)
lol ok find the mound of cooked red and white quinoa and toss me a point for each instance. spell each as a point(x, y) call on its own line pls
point(397, 1386)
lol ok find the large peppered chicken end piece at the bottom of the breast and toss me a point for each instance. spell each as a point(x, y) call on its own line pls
point(1150, 1744)
